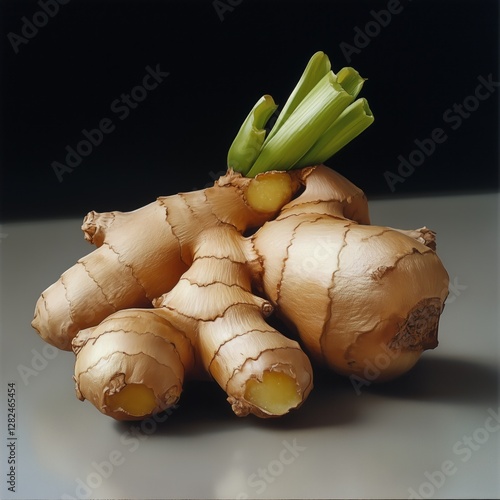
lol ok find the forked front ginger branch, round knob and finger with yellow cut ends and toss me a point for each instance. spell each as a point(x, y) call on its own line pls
point(213, 312)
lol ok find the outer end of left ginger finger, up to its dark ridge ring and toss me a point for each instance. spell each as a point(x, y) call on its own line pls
point(137, 258)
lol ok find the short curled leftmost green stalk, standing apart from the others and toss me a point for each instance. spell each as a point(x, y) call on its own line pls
point(248, 142)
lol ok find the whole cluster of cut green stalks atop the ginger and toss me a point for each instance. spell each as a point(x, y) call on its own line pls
point(319, 118)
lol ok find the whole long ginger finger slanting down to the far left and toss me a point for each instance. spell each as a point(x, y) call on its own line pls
point(140, 255)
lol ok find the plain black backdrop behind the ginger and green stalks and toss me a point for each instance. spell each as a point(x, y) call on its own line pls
point(427, 59)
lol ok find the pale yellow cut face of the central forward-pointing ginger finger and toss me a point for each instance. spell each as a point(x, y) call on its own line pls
point(276, 394)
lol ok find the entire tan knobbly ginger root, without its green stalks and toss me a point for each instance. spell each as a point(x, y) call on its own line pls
point(180, 289)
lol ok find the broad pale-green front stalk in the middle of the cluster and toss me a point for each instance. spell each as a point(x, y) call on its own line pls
point(304, 126)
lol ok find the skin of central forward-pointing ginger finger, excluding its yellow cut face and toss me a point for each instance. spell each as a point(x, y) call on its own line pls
point(234, 342)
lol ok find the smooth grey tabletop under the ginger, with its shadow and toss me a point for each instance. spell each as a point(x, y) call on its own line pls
point(430, 434)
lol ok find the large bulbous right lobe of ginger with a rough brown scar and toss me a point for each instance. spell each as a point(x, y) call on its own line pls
point(354, 292)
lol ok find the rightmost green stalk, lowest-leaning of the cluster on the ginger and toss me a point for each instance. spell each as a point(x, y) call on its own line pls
point(356, 118)
